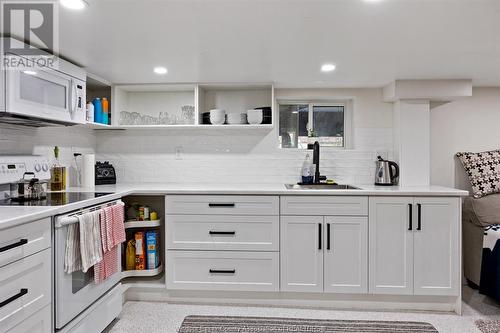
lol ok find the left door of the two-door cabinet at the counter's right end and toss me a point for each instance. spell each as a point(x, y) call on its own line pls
point(391, 246)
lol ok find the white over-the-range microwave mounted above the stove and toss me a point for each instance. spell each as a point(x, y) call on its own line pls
point(43, 96)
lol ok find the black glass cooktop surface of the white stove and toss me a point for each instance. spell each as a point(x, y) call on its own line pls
point(56, 199)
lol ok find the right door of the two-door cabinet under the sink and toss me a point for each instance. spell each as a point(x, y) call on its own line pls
point(346, 254)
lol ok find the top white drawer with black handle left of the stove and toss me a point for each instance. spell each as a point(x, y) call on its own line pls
point(21, 241)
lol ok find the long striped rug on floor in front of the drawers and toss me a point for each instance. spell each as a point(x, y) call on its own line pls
point(215, 324)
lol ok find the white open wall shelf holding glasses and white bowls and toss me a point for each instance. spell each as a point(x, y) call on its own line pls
point(170, 106)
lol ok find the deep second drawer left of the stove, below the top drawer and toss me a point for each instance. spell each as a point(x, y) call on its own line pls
point(25, 288)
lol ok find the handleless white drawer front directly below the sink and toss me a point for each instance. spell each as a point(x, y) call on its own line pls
point(324, 205)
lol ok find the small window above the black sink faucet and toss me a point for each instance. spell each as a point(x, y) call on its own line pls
point(302, 123)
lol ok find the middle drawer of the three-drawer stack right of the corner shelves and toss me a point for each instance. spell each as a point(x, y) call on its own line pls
point(223, 232)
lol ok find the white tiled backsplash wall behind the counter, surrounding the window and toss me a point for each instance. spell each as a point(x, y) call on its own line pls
point(240, 156)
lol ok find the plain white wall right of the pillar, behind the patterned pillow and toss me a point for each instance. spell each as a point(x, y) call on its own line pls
point(470, 124)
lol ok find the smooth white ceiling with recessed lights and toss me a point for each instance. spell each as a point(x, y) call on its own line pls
point(286, 41)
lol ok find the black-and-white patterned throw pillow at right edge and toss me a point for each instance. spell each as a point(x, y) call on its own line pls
point(483, 170)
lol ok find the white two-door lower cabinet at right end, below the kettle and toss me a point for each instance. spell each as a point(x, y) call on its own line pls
point(414, 245)
